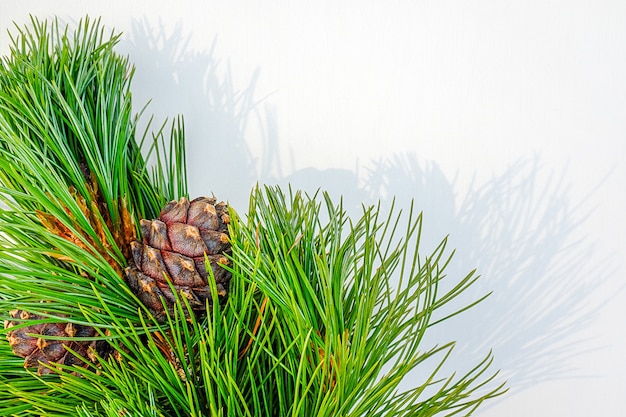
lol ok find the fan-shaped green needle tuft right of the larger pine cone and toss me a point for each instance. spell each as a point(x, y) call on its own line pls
point(356, 337)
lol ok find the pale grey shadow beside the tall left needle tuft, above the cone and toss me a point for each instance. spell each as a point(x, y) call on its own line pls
point(179, 80)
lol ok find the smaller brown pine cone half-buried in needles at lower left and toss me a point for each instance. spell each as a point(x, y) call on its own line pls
point(40, 351)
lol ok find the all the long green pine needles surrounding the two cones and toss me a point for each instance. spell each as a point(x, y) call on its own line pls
point(326, 314)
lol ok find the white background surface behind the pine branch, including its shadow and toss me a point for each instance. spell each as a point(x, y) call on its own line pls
point(504, 120)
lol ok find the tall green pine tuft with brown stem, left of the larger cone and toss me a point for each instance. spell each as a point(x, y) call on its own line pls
point(73, 185)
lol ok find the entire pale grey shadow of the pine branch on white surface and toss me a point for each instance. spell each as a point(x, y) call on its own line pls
point(519, 229)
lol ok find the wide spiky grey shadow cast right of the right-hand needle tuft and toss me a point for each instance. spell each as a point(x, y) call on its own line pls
point(522, 234)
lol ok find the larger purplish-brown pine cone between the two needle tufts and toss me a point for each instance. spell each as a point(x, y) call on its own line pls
point(172, 255)
